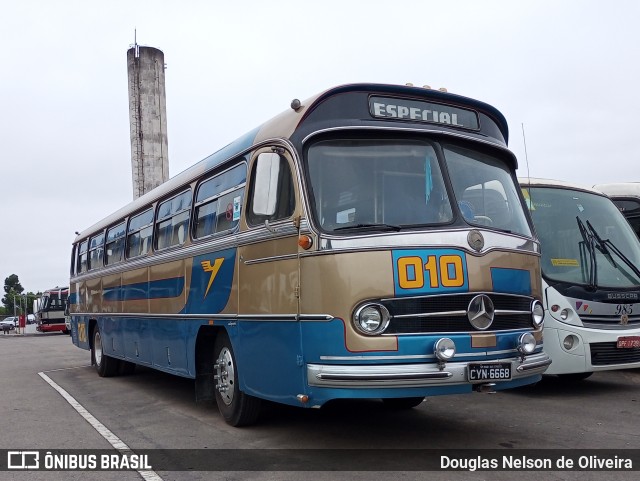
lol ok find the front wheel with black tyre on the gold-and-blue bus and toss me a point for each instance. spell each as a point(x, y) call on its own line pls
point(236, 407)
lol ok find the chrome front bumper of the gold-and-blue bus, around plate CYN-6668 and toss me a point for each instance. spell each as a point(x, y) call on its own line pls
point(416, 375)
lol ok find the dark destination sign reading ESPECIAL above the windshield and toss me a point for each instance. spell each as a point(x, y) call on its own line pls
point(420, 111)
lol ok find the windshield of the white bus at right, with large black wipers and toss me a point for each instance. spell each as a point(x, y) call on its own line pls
point(585, 240)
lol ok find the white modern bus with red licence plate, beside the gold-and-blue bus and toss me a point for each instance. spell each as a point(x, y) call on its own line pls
point(591, 281)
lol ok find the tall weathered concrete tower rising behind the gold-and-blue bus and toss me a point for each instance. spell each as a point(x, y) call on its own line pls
point(147, 118)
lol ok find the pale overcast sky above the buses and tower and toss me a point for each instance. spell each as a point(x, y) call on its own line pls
point(566, 70)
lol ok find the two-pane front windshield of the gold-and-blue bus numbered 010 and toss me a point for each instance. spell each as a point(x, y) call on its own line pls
point(360, 184)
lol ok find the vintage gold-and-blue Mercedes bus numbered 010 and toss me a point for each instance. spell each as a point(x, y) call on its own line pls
point(369, 242)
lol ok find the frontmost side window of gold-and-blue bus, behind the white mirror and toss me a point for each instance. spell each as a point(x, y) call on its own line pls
point(272, 193)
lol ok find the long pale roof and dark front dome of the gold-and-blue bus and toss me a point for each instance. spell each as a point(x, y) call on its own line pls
point(300, 113)
